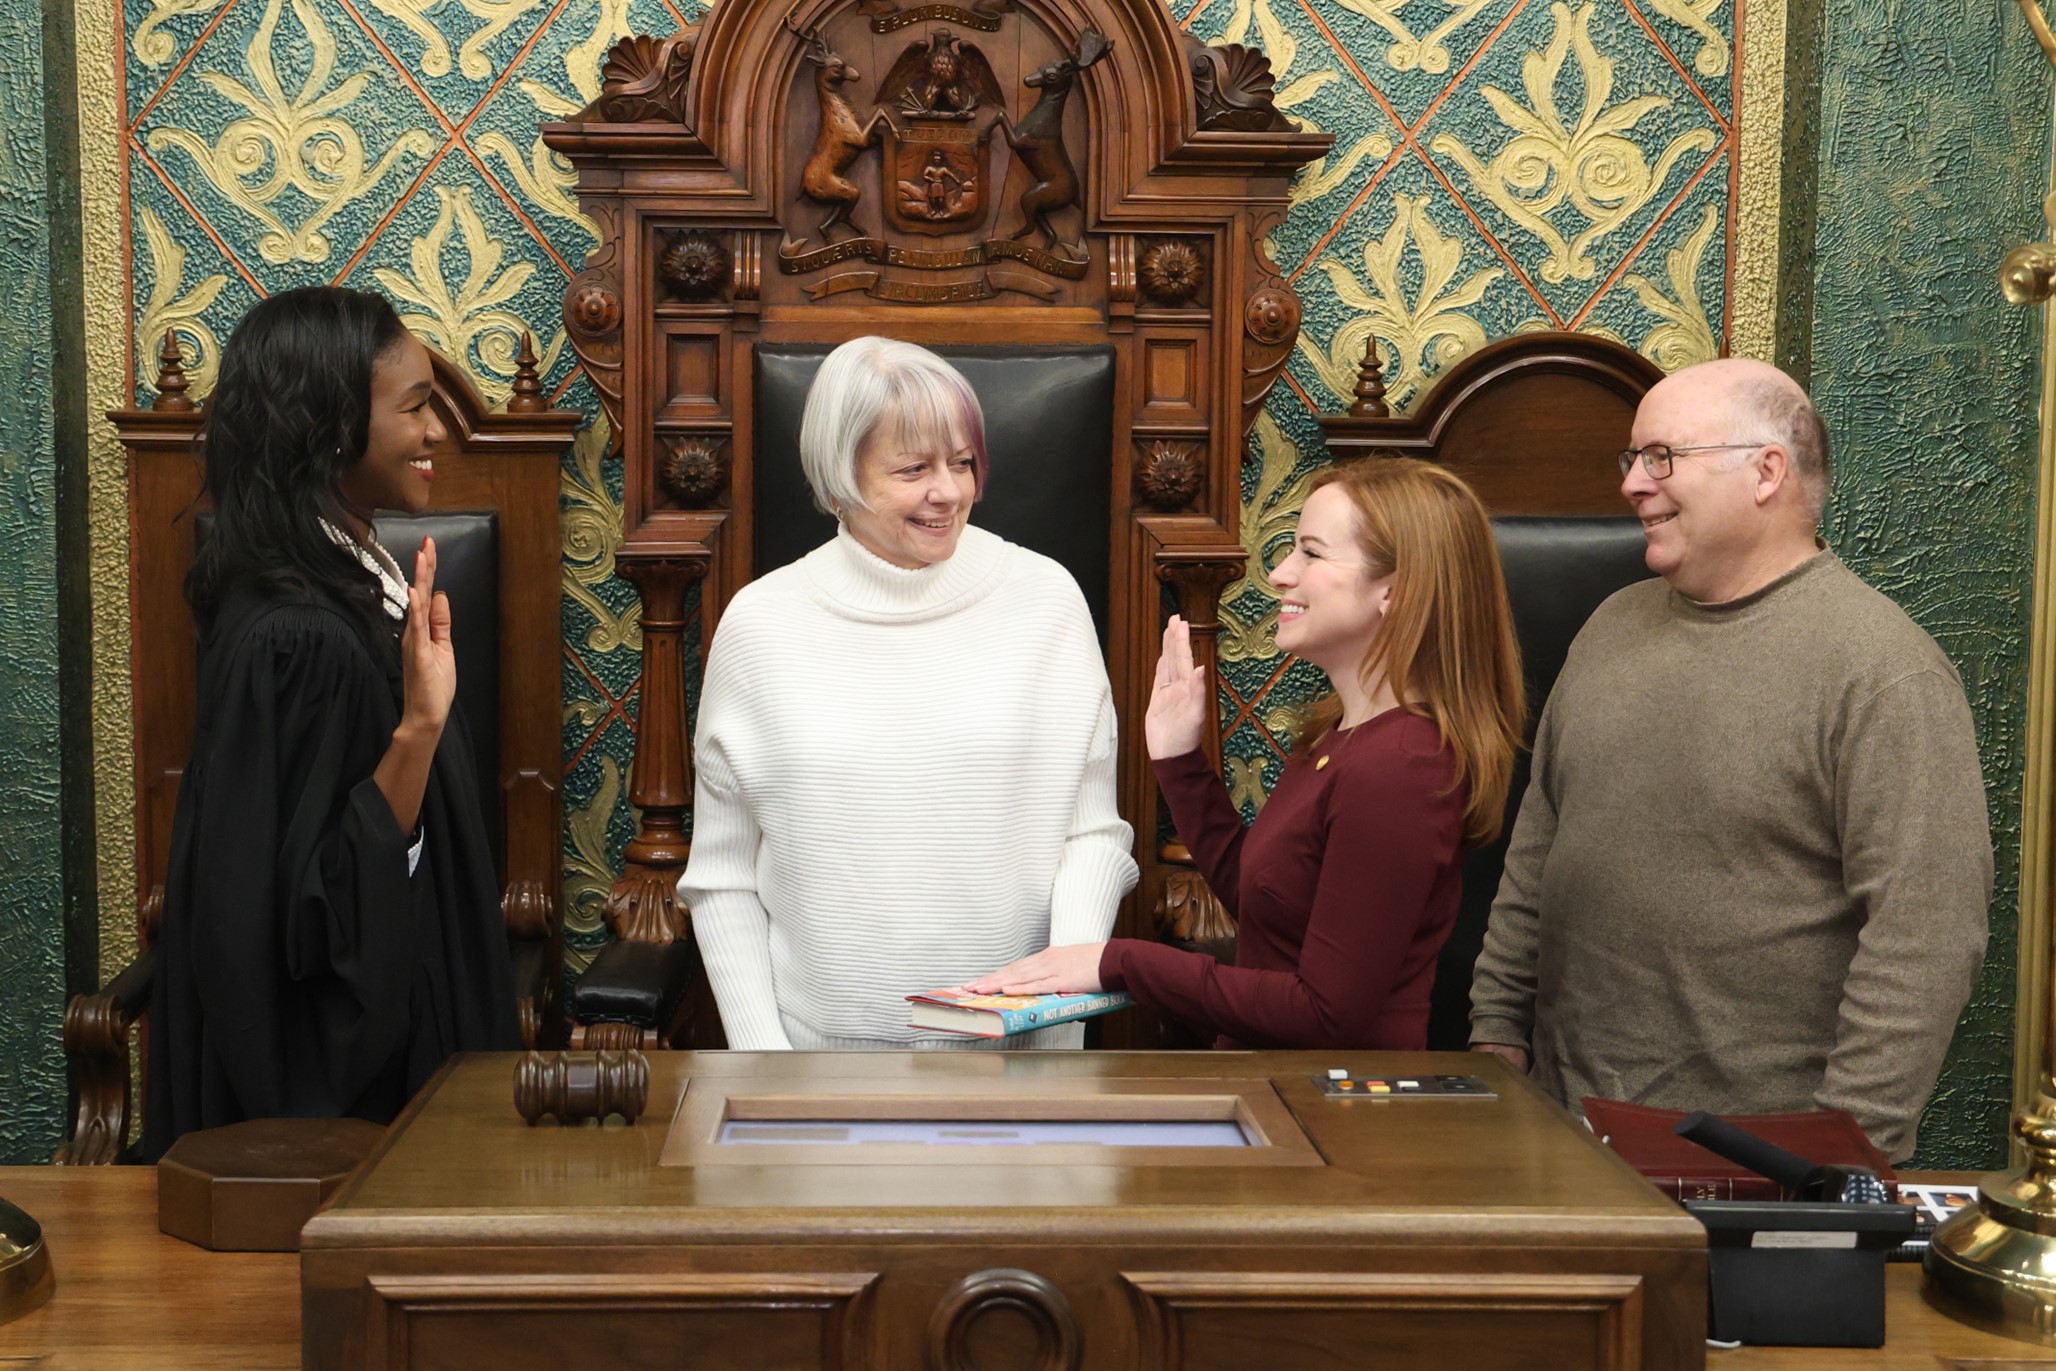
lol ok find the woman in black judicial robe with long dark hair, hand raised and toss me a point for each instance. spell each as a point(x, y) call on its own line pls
point(332, 918)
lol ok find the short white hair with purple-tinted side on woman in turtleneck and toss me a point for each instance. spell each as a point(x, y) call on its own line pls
point(865, 383)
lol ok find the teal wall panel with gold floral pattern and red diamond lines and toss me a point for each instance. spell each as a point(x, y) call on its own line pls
point(1500, 165)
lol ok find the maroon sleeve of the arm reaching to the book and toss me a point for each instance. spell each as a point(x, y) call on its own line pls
point(1387, 840)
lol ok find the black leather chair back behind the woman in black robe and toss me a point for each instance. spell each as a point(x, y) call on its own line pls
point(468, 570)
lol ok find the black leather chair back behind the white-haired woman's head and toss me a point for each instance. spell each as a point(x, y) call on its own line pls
point(1050, 427)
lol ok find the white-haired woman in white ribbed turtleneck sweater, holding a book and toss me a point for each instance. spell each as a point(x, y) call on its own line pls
point(906, 753)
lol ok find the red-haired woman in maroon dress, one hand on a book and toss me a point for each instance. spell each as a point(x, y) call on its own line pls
point(1348, 883)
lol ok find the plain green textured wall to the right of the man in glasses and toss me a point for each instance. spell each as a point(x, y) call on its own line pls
point(1934, 151)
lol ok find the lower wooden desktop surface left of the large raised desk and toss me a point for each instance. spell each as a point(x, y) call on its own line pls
point(133, 1300)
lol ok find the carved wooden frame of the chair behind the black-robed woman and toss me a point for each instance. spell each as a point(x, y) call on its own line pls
point(494, 521)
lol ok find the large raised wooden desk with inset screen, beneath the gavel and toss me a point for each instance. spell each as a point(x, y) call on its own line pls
point(1393, 1232)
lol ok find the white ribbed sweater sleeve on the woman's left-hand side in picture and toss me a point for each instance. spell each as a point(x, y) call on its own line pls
point(729, 920)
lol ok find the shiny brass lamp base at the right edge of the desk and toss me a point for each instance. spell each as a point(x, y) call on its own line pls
point(1995, 1265)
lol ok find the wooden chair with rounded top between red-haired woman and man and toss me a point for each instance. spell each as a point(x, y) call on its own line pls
point(1533, 422)
